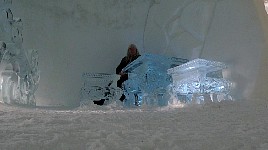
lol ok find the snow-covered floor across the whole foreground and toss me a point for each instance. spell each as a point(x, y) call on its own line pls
point(239, 125)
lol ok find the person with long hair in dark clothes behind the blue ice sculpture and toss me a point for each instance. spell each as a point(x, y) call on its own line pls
point(132, 54)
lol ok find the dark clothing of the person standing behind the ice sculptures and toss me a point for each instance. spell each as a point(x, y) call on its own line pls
point(119, 68)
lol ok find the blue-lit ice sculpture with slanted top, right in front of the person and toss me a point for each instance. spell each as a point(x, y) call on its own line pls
point(148, 80)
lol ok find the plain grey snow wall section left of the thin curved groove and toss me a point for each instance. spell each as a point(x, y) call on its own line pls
point(78, 36)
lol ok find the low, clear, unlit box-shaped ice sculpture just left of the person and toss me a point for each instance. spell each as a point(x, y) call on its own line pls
point(99, 86)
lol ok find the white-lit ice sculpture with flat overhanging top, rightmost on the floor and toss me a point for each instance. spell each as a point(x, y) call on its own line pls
point(198, 80)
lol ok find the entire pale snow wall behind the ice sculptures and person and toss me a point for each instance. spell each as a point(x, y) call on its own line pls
point(92, 36)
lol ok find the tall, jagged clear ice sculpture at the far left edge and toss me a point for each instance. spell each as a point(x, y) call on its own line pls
point(19, 71)
